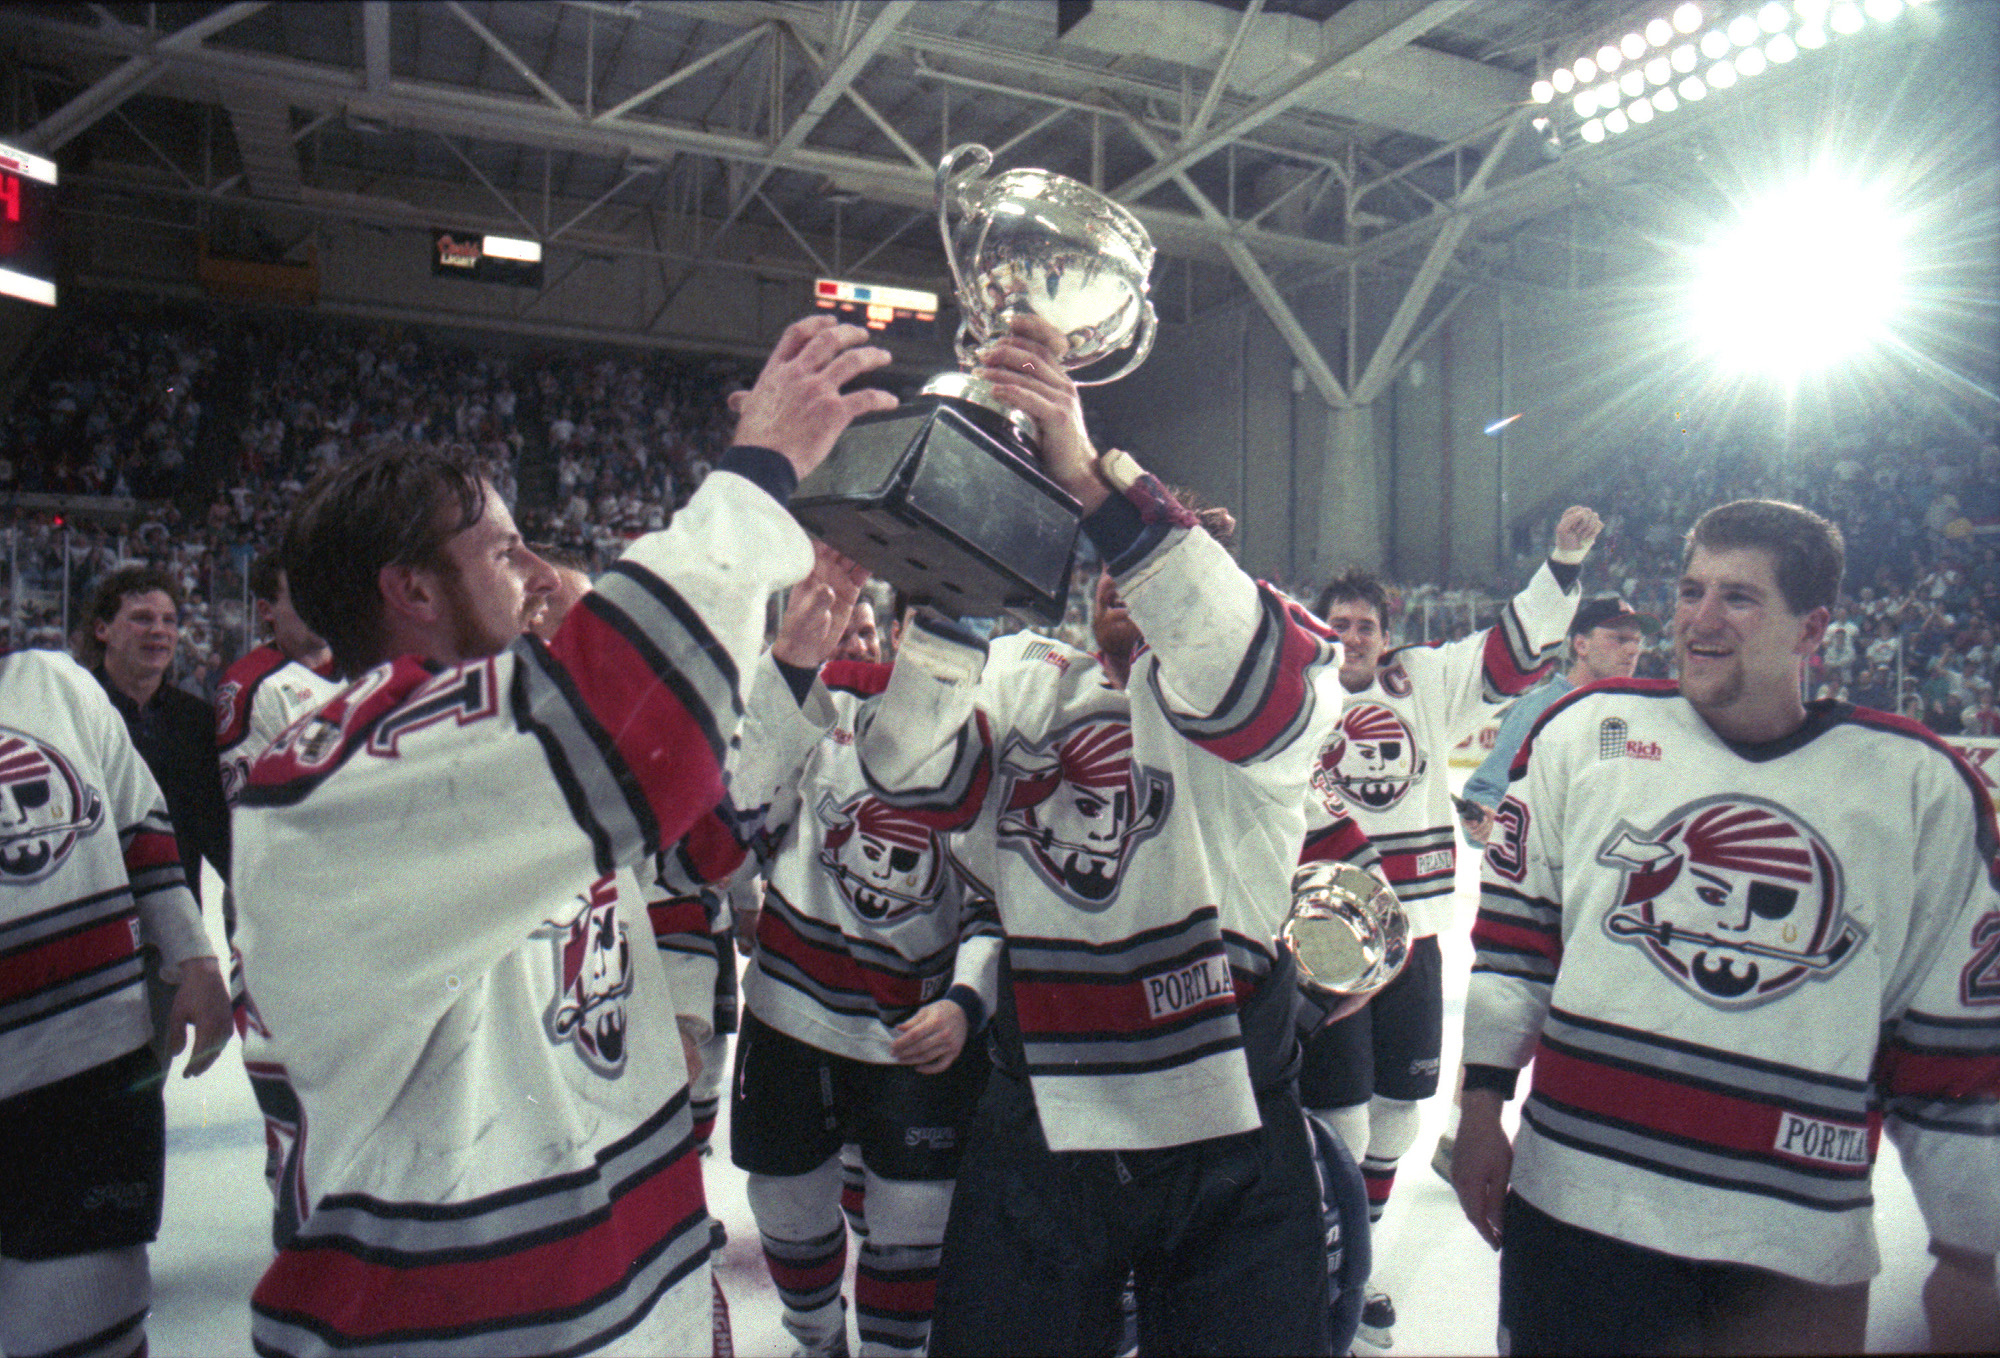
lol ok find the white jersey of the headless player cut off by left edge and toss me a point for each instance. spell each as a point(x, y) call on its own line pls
point(89, 877)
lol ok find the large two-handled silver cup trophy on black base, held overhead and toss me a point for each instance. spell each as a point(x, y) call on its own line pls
point(945, 497)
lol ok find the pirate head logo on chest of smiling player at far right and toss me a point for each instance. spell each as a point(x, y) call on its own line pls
point(1737, 899)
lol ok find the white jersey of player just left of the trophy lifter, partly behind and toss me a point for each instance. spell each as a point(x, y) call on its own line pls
point(865, 919)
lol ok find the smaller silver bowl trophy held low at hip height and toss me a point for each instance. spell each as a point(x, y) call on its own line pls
point(1347, 929)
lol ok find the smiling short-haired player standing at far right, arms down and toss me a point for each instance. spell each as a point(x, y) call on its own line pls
point(1741, 937)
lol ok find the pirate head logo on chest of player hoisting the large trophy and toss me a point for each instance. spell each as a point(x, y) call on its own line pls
point(1079, 805)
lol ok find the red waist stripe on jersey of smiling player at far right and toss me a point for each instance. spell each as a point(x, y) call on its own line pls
point(1667, 1107)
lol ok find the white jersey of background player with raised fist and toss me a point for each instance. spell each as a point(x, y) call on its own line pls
point(1389, 759)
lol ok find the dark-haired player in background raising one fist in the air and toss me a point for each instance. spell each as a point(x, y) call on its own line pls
point(1389, 765)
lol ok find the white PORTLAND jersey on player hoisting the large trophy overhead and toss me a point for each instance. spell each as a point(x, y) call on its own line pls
point(1139, 841)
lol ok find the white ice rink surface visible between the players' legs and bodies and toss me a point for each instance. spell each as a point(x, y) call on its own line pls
point(1443, 1279)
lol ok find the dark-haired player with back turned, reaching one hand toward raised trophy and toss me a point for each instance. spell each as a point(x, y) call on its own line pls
point(495, 1145)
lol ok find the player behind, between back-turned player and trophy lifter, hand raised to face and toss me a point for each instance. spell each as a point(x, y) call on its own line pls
point(869, 975)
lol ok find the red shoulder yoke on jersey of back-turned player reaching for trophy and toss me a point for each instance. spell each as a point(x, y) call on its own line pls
point(375, 713)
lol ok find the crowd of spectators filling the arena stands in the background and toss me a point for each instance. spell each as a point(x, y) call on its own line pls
point(215, 421)
